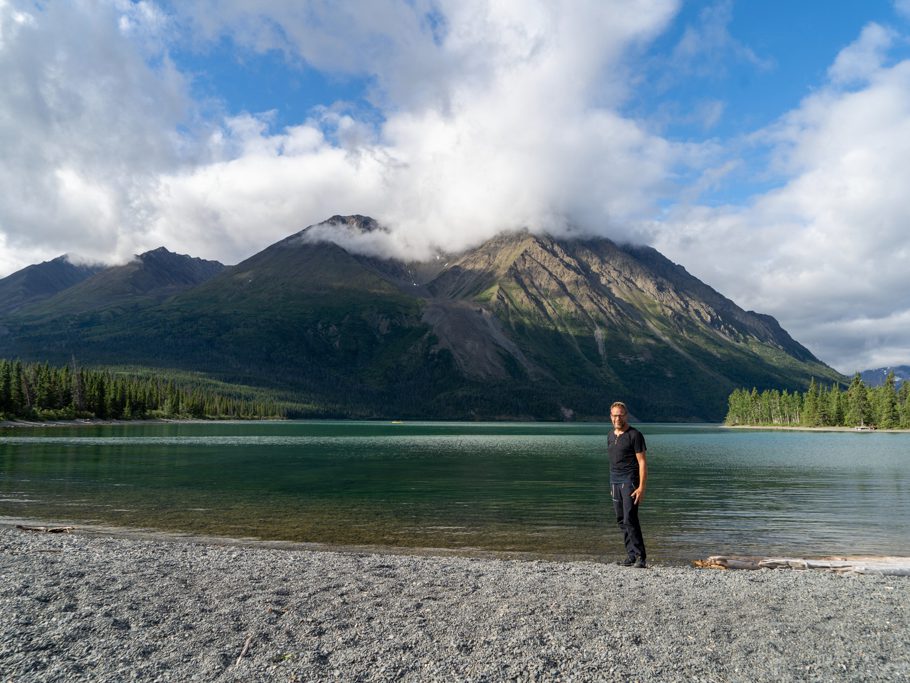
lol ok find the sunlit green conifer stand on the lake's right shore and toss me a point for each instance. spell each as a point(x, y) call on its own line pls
point(883, 407)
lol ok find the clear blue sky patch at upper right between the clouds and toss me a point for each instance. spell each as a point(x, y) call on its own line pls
point(759, 60)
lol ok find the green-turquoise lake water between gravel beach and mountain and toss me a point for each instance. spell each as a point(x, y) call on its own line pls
point(531, 488)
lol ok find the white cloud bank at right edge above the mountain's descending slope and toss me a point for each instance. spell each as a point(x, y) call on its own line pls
point(826, 251)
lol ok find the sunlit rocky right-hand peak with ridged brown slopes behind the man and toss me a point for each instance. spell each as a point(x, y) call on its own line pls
point(602, 320)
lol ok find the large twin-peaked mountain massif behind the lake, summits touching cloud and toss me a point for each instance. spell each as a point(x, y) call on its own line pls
point(523, 326)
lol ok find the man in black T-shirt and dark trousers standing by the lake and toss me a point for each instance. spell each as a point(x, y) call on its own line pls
point(628, 474)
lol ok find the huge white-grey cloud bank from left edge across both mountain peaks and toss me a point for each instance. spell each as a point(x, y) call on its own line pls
point(493, 116)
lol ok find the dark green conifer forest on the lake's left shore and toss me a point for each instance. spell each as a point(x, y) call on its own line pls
point(41, 392)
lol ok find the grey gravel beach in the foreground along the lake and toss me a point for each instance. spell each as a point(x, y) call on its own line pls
point(112, 608)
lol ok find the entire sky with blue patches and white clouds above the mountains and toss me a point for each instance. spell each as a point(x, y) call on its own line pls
point(762, 145)
